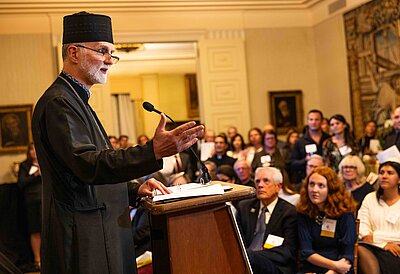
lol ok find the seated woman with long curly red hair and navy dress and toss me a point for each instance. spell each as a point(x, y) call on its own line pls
point(327, 228)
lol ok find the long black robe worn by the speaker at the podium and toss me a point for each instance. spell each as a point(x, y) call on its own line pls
point(85, 193)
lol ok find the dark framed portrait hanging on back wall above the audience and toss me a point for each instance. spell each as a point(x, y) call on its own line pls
point(286, 110)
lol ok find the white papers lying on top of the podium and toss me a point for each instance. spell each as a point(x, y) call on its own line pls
point(188, 190)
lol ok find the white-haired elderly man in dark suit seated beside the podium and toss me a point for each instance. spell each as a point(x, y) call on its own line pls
point(268, 225)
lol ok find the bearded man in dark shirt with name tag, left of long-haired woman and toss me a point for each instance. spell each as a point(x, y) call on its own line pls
point(302, 151)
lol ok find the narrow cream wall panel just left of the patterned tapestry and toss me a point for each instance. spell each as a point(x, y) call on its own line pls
point(333, 80)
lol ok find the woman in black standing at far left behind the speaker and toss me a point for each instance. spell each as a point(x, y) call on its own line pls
point(30, 182)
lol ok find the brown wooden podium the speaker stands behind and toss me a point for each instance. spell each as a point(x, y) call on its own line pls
point(198, 235)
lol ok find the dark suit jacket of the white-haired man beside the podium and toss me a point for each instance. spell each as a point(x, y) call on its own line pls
point(283, 223)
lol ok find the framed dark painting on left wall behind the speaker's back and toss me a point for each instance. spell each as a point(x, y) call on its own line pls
point(15, 131)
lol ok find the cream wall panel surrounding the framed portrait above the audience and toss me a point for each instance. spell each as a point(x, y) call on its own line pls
point(280, 59)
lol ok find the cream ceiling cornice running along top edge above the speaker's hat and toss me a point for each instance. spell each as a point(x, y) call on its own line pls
point(62, 6)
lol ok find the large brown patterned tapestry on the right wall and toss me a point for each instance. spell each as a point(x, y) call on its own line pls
point(373, 51)
